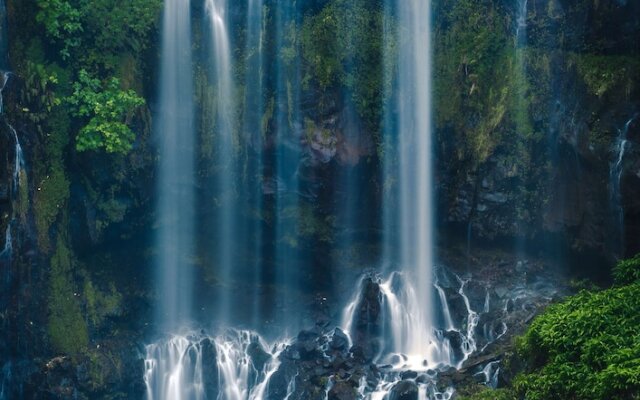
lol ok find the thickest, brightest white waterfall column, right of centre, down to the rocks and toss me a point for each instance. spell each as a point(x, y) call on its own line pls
point(414, 233)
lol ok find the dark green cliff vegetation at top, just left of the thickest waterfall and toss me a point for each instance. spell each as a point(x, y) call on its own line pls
point(343, 46)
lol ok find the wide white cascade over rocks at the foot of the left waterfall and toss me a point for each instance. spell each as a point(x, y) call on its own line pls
point(176, 369)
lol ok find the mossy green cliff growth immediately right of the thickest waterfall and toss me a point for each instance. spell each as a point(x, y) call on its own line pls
point(472, 59)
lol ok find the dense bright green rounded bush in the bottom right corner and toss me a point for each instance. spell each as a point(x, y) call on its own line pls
point(587, 347)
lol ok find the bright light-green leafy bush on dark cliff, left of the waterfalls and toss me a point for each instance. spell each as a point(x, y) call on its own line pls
point(109, 110)
